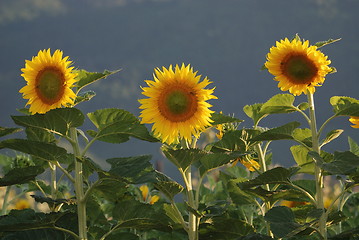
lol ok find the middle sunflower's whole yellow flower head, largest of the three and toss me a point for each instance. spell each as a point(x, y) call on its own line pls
point(176, 104)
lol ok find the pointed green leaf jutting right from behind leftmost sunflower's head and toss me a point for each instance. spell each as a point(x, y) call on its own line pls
point(85, 78)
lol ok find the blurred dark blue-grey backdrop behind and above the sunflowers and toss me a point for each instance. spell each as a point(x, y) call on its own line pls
point(225, 40)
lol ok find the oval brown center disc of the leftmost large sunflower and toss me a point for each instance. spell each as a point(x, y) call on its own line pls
point(50, 85)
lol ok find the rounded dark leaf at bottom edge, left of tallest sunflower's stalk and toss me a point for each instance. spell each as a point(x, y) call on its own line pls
point(281, 221)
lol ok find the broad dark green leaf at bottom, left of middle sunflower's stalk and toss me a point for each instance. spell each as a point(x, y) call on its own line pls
point(133, 214)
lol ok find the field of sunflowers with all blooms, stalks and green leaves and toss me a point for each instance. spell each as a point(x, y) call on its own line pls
point(230, 189)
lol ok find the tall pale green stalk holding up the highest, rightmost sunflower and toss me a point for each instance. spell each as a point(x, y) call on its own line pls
point(317, 171)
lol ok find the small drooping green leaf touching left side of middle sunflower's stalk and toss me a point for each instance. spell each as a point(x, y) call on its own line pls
point(167, 186)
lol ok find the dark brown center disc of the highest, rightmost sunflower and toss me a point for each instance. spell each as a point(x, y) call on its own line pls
point(298, 68)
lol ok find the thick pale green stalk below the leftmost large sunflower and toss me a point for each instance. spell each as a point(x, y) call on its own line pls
point(81, 203)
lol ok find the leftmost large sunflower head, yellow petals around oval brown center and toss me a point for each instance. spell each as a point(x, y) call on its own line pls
point(49, 82)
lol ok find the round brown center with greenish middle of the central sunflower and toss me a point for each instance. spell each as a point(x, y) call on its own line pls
point(177, 103)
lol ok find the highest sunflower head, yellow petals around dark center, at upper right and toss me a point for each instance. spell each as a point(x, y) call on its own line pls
point(297, 66)
